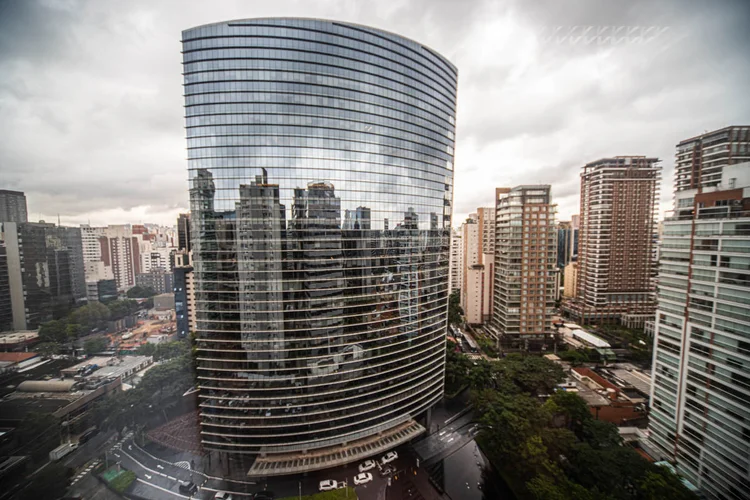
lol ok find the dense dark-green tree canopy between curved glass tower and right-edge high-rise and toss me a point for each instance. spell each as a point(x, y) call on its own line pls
point(545, 442)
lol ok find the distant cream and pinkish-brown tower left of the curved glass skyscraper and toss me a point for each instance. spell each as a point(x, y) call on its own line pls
point(120, 251)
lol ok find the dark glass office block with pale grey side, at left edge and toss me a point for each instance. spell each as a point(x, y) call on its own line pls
point(39, 273)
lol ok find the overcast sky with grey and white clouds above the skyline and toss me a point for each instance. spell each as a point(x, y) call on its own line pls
point(91, 97)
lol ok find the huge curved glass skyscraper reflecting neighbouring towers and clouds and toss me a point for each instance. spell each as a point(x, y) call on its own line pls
point(321, 171)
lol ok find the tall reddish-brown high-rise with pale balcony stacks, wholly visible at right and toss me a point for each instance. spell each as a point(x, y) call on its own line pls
point(616, 250)
